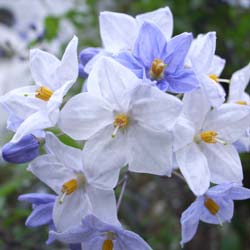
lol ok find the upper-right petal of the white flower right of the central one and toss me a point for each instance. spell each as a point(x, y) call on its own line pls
point(230, 121)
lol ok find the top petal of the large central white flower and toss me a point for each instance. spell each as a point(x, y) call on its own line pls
point(107, 81)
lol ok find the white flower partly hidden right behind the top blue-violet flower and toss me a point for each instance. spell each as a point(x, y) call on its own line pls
point(207, 67)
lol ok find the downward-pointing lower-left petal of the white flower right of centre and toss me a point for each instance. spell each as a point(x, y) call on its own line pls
point(194, 167)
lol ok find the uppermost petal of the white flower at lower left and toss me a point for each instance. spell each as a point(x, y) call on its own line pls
point(69, 157)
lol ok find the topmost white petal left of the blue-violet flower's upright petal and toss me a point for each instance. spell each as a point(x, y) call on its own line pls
point(118, 31)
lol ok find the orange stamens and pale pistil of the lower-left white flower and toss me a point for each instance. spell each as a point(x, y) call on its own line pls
point(71, 186)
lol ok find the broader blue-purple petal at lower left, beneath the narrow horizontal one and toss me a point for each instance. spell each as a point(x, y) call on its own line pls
point(41, 215)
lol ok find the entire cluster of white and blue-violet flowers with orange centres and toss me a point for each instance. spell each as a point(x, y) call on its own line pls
point(151, 103)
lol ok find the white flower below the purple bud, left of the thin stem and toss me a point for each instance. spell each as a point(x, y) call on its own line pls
point(80, 190)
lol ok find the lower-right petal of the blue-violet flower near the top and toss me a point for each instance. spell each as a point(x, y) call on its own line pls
point(182, 81)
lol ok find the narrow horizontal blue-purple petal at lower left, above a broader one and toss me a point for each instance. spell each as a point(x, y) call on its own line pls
point(37, 199)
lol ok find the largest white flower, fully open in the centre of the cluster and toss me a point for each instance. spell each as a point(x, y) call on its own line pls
point(124, 121)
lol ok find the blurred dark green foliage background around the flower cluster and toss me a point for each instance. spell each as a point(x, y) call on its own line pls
point(152, 205)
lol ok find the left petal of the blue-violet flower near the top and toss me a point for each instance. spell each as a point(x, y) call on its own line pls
point(129, 61)
